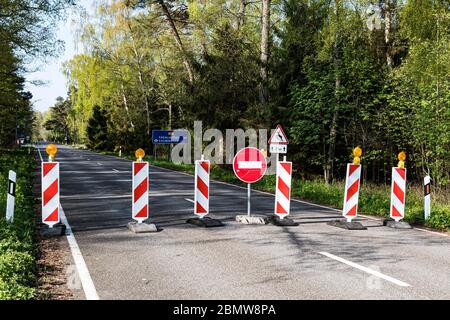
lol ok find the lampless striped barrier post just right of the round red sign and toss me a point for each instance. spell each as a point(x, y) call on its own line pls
point(283, 188)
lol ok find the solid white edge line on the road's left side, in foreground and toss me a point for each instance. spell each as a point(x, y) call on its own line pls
point(86, 281)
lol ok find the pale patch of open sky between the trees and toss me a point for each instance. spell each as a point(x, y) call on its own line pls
point(44, 96)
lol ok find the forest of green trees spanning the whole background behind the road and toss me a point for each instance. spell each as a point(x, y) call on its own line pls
point(335, 73)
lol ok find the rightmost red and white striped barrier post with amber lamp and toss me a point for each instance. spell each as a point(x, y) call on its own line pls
point(398, 189)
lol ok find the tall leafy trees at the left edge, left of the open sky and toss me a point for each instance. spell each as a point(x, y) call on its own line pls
point(26, 33)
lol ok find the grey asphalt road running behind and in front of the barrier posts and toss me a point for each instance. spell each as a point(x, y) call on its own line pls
point(310, 261)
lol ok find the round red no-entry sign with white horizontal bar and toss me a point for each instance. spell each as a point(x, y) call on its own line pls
point(249, 164)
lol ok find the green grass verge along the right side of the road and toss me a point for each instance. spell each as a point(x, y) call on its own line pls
point(373, 199)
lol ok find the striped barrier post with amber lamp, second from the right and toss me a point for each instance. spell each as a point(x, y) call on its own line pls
point(352, 183)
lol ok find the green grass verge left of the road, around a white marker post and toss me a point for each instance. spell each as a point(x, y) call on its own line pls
point(17, 249)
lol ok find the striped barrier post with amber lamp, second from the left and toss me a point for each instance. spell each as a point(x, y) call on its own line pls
point(140, 188)
